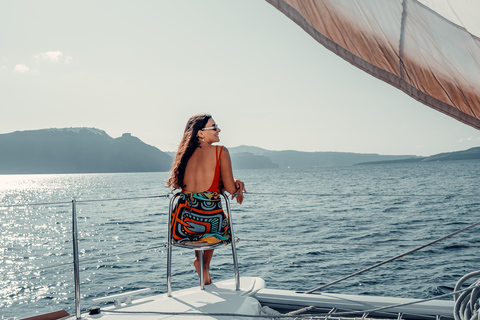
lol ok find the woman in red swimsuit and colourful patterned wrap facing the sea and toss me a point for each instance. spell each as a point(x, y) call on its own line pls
point(202, 170)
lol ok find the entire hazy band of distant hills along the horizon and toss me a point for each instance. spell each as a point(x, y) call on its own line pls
point(91, 150)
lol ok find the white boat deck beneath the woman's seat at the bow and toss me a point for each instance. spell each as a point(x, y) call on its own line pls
point(221, 301)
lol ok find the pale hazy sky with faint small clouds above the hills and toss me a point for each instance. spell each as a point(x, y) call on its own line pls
point(144, 67)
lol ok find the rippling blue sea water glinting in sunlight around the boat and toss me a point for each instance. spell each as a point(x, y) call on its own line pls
point(297, 229)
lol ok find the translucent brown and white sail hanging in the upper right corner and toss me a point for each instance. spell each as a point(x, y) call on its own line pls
point(430, 49)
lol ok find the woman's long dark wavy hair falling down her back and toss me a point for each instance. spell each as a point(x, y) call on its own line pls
point(186, 148)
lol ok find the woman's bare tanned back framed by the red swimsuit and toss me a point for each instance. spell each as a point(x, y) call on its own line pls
point(200, 170)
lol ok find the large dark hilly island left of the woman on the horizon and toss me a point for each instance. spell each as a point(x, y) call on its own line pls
point(77, 150)
